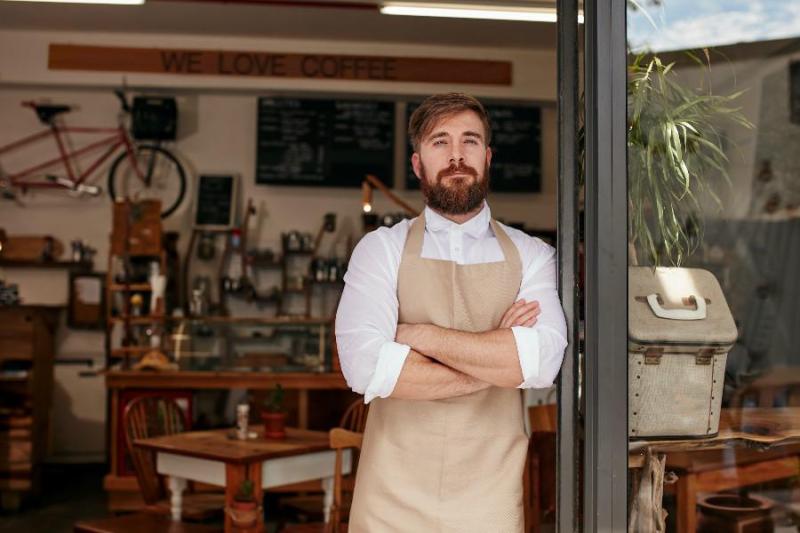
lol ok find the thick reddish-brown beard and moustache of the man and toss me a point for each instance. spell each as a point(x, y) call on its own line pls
point(457, 198)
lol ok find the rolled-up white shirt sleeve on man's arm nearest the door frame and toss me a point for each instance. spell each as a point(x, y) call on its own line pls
point(541, 346)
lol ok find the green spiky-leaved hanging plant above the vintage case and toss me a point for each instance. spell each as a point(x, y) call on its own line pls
point(675, 152)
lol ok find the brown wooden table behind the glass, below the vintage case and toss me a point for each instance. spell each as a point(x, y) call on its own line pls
point(754, 445)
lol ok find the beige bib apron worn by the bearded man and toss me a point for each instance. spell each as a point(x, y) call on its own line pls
point(452, 465)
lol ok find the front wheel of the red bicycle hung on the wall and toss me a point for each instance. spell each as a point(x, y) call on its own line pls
point(164, 178)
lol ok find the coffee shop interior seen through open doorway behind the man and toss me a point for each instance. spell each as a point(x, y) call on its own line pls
point(197, 304)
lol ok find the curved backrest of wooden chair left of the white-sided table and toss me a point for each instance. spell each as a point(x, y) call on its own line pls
point(145, 417)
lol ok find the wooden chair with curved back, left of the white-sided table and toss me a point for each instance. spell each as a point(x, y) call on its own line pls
point(154, 416)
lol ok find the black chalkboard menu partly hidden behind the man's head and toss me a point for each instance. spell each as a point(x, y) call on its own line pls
point(516, 148)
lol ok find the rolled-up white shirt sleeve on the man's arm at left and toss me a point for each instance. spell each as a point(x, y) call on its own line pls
point(366, 320)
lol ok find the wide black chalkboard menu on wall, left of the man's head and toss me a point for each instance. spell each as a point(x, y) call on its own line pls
point(328, 143)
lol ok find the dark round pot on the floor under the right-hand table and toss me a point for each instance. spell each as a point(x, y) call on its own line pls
point(724, 513)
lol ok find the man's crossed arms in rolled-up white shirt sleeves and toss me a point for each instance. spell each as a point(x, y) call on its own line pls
point(381, 357)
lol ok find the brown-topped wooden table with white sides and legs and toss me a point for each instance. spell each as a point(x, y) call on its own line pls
point(214, 458)
